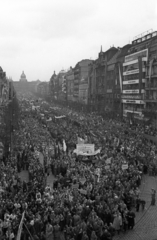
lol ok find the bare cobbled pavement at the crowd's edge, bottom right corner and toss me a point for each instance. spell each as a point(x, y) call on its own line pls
point(145, 222)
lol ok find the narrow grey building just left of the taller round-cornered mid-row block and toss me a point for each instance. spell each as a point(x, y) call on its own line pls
point(70, 84)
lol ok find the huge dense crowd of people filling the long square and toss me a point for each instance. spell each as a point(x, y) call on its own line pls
point(94, 196)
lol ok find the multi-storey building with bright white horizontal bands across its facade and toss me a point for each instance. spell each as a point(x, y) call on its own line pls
point(134, 78)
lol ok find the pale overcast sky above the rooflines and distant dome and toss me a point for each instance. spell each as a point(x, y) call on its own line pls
point(43, 36)
